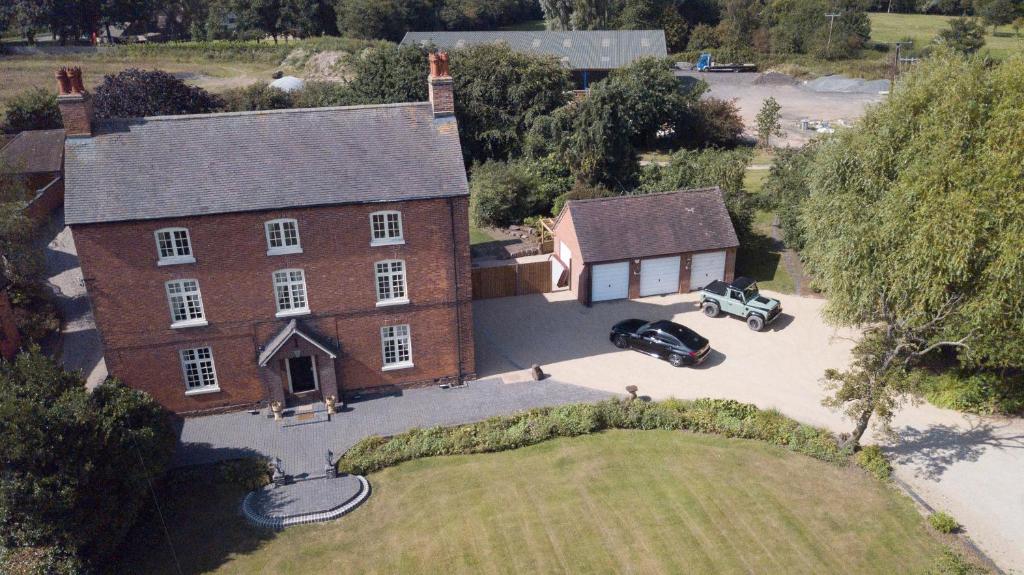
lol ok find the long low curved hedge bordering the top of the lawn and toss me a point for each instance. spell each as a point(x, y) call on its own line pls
point(720, 417)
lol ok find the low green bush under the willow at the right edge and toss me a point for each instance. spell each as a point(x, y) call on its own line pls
point(982, 392)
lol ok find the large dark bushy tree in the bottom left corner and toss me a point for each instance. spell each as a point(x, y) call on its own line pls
point(77, 464)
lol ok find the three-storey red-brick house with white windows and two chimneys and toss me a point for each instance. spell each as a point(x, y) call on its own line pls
point(238, 259)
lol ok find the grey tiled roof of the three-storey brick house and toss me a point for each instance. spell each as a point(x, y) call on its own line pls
point(180, 166)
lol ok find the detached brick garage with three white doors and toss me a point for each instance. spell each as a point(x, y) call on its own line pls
point(639, 246)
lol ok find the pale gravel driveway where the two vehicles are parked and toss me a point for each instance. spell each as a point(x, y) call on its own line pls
point(969, 466)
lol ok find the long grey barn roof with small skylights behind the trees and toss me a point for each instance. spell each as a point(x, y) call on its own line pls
point(591, 50)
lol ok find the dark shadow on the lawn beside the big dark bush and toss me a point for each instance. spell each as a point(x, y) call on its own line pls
point(202, 509)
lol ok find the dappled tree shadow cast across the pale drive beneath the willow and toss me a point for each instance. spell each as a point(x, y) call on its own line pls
point(933, 451)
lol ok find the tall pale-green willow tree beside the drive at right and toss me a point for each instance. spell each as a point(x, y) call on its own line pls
point(915, 229)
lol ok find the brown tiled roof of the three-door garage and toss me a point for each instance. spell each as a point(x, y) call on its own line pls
point(656, 225)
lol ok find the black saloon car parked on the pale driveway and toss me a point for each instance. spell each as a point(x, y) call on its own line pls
point(666, 340)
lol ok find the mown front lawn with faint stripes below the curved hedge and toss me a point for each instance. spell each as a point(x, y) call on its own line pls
point(648, 502)
